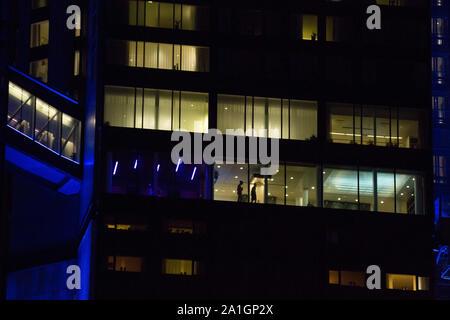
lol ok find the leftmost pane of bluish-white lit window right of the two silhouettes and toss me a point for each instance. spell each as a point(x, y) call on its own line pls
point(340, 188)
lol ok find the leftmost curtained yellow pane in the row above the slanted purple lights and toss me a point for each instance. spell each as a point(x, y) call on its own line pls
point(119, 106)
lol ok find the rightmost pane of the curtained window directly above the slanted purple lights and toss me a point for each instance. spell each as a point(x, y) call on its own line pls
point(194, 111)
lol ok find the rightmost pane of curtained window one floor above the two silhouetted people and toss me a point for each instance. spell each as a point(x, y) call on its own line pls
point(303, 119)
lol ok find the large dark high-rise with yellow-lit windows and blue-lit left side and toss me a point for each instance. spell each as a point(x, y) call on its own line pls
point(92, 183)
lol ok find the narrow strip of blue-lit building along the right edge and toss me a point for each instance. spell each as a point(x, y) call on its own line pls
point(441, 147)
